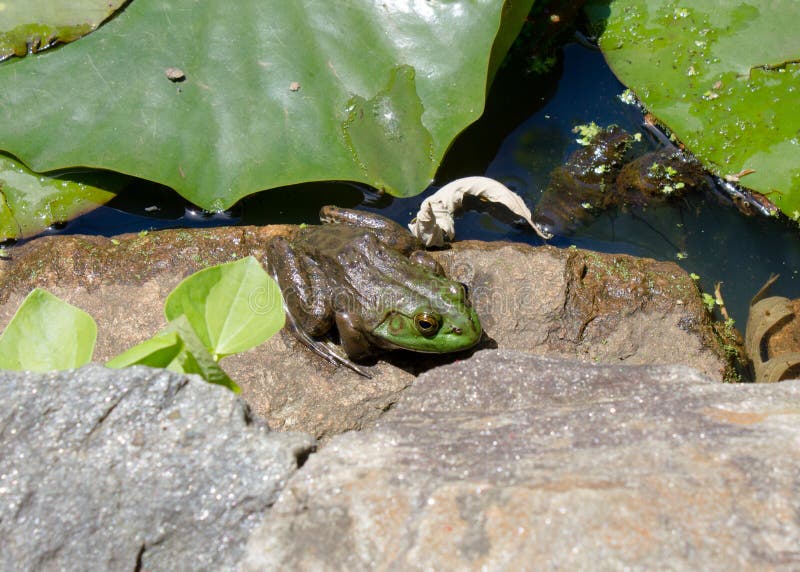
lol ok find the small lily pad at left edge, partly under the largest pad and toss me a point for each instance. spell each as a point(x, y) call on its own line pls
point(30, 202)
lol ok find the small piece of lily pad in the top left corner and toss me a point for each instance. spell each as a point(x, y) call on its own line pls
point(38, 24)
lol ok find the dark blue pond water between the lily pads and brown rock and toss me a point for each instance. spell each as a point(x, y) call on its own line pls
point(526, 131)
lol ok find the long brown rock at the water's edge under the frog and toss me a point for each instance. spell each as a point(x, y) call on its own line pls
point(569, 303)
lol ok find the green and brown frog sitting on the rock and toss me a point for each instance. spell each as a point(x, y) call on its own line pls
point(362, 274)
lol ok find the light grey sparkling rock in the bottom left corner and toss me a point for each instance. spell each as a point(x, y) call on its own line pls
point(135, 469)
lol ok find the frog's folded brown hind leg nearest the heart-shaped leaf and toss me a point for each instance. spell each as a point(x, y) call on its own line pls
point(302, 284)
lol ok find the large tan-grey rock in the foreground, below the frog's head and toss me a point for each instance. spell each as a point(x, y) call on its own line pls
point(509, 461)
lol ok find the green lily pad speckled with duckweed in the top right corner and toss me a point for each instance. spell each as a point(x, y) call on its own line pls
point(723, 76)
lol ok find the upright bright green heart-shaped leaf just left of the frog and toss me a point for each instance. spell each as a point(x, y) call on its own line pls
point(232, 307)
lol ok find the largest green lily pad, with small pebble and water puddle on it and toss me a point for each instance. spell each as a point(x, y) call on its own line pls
point(220, 100)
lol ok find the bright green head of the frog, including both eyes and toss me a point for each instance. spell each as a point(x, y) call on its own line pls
point(444, 323)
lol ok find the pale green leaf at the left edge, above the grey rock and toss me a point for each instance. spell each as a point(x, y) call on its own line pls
point(47, 334)
